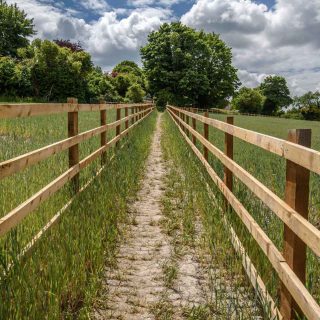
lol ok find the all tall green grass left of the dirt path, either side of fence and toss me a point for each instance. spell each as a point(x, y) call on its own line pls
point(60, 279)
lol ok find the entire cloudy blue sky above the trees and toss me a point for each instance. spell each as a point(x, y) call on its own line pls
point(267, 37)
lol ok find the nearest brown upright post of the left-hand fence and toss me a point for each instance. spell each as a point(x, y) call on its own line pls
point(73, 130)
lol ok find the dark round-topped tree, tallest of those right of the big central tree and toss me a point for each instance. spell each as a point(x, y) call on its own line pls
point(277, 94)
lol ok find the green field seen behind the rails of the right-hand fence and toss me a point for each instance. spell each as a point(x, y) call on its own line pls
point(270, 169)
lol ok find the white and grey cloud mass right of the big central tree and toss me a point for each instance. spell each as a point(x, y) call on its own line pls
point(283, 40)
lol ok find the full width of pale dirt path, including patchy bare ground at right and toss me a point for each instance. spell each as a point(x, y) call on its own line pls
point(156, 276)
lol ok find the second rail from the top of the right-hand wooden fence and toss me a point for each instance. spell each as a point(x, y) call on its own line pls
point(299, 225)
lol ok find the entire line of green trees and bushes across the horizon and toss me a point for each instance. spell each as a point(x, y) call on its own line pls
point(181, 66)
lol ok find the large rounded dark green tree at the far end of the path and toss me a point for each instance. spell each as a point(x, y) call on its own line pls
point(188, 67)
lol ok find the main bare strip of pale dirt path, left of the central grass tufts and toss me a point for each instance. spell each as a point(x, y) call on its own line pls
point(134, 286)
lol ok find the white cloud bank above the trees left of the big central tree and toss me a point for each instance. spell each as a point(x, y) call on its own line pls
point(109, 39)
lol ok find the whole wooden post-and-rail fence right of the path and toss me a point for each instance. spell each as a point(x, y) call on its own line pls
point(293, 211)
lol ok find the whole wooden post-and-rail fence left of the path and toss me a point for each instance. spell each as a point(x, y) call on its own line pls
point(138, 112)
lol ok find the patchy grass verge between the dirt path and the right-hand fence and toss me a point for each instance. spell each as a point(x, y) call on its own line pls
point(187, 200)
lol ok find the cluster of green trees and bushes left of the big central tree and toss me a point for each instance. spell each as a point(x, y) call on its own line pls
point(54, 70)
